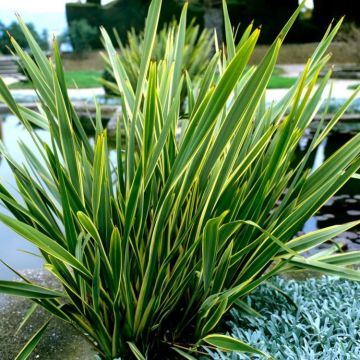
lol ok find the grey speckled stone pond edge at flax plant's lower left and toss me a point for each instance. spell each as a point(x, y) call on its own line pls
point(60, 341)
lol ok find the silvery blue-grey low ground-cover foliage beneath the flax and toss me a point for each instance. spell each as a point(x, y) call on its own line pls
point(323, 322)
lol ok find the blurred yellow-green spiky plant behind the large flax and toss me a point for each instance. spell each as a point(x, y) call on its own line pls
point(195, 57)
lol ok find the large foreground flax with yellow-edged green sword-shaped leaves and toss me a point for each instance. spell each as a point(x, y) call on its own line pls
point(154, 241)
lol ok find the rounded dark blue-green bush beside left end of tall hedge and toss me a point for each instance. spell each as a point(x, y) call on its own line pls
point(81, 35)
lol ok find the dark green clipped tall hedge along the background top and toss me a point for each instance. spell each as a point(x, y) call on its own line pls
point(124, 15)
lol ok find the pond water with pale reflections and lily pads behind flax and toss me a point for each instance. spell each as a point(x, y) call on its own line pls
point(344, 207)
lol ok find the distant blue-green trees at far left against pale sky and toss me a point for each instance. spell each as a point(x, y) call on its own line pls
point(15, 31)
